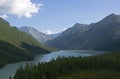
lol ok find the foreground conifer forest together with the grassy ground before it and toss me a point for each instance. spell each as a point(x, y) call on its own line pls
point(106, 66)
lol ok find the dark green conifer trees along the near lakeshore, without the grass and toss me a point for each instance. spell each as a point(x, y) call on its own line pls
point(64, 66)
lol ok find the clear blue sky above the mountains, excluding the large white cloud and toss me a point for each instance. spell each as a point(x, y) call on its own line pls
point(57, 15)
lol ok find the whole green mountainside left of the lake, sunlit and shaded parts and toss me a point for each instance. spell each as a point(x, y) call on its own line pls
point(17, 46)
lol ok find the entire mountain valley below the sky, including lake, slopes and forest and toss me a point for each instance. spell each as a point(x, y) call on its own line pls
point(81, 49)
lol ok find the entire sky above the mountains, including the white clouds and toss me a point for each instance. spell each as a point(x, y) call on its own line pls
point(53, 16)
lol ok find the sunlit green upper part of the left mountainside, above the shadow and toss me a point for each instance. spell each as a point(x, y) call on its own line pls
point(13, 36)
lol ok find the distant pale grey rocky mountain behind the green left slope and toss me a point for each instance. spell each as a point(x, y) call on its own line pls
point(39, 36)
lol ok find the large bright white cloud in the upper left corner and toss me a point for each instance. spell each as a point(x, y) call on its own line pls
point(21, 8)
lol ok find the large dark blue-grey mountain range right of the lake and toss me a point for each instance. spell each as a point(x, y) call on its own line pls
point(103, 35)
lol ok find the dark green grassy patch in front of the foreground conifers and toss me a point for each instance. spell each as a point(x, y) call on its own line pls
point(102, 74)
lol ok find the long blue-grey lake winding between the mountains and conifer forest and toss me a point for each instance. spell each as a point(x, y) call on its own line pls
point(10, 69)
